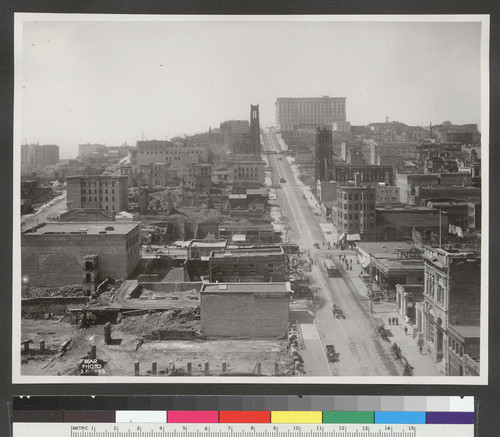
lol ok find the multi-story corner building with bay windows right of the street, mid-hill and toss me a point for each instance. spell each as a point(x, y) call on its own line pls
point(356, 210)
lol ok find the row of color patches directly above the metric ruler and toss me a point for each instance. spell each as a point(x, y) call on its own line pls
point(272, 417)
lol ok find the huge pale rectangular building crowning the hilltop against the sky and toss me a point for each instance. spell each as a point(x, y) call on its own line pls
point(310, 113)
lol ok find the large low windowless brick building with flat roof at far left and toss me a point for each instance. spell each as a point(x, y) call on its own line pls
point(52, 254)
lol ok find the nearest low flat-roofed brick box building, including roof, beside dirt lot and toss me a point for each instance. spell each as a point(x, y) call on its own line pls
point(245, 309)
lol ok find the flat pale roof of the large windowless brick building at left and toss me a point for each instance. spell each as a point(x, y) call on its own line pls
point(88, 228)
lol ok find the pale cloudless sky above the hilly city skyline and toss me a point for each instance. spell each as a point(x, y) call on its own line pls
point(112, 82)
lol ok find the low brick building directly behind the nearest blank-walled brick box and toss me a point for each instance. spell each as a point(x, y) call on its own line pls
point(267, 264)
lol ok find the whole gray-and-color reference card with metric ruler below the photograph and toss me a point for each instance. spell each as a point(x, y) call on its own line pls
point(340, 417)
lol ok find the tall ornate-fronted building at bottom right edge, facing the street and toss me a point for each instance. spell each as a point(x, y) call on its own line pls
point(452, 297)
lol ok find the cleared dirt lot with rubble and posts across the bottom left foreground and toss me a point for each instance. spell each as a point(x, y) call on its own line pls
point(241, 356)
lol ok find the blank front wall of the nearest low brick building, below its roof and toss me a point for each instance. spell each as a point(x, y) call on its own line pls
point(242, 315)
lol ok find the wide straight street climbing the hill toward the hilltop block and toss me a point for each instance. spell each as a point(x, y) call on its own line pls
point(362, 352)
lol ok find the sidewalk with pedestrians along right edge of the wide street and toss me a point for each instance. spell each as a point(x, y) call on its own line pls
point(423, 364)
